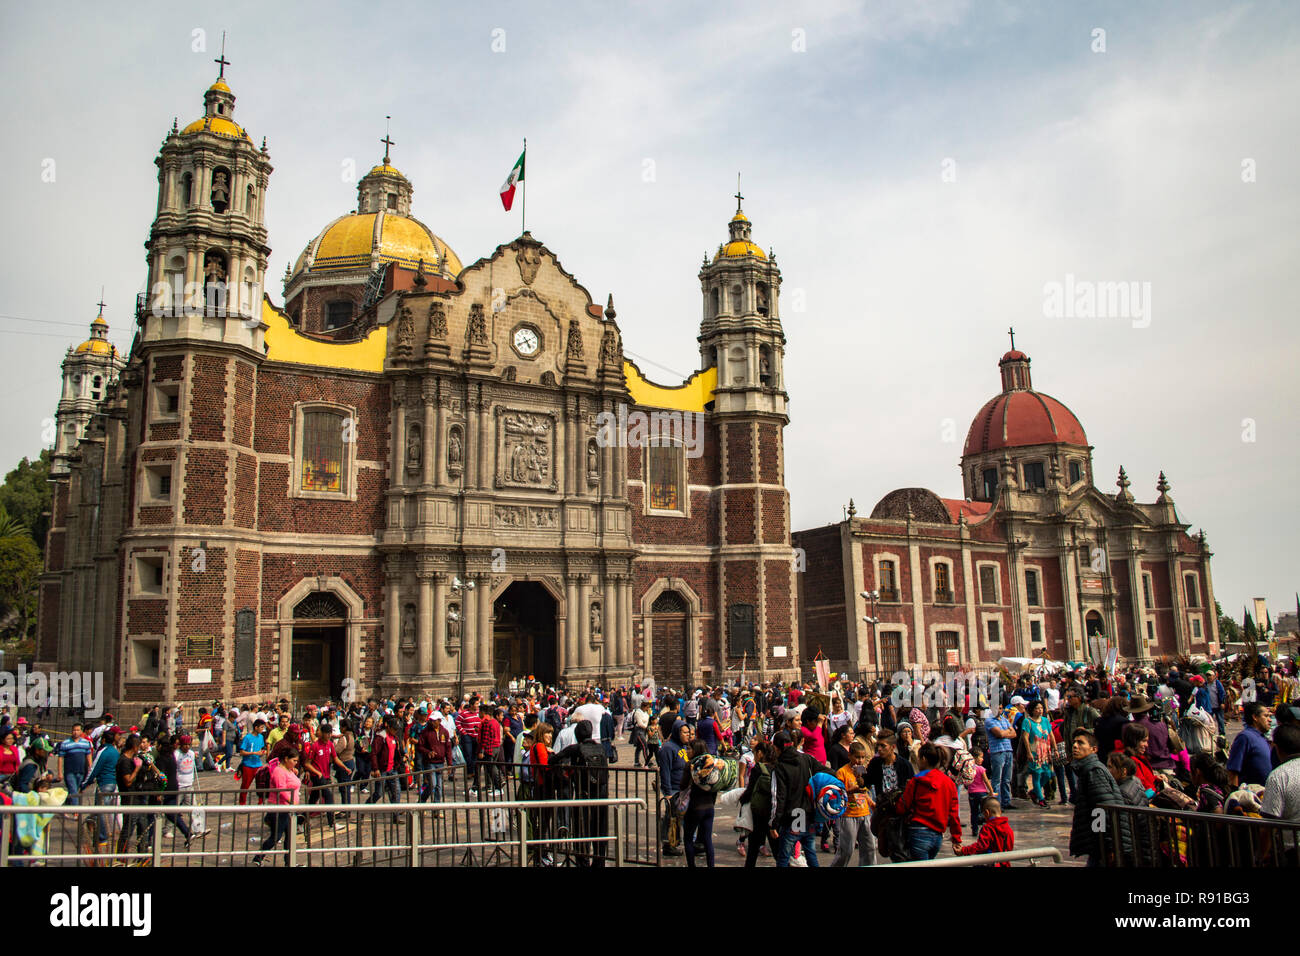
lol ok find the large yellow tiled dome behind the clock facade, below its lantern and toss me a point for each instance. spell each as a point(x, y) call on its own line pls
point(346, 245)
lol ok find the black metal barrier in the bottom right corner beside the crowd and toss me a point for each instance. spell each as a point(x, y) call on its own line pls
point(1176, 840)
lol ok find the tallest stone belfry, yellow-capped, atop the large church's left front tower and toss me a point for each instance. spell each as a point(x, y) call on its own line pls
point(207, 249)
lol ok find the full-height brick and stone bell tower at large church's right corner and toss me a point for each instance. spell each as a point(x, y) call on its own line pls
point(742, 335)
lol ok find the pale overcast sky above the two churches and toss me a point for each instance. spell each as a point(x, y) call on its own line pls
point(922, 171)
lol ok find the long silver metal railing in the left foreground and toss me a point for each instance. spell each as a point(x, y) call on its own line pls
point(371, 836)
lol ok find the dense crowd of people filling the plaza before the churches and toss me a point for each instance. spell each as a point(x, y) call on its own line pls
point(808, 772)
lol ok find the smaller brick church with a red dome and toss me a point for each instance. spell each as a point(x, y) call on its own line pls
point(1033, 561)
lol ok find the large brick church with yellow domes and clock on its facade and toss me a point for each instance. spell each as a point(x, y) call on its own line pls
point(404, 479)
